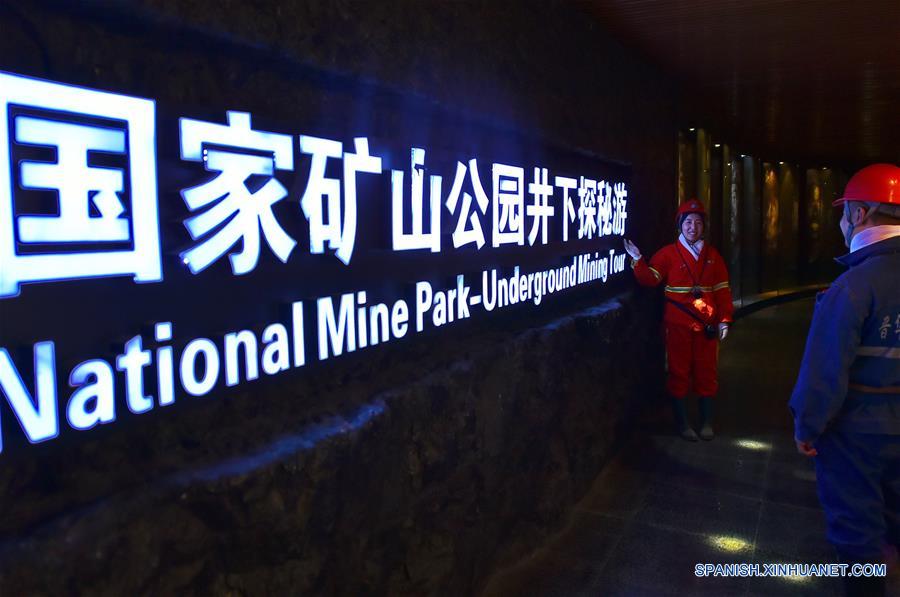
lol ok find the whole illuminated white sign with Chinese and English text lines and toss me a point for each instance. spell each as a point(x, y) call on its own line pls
point(396, 246)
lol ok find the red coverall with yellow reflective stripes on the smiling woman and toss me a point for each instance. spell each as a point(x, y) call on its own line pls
point(691, 355)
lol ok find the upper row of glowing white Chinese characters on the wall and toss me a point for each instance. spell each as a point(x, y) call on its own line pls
point(243, 185)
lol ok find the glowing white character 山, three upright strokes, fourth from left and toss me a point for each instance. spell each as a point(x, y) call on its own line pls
point(418, 238)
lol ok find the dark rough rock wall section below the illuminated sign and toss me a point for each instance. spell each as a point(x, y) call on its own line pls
point(424, 488)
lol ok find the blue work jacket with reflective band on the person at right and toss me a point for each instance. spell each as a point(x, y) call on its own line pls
point(850, 375)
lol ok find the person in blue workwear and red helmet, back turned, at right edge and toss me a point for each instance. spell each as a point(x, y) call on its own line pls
point(846, 403)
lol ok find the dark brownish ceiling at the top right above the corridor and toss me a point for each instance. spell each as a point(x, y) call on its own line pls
point(814, 81)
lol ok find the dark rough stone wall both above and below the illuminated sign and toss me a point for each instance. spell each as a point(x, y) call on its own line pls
point(418, 468)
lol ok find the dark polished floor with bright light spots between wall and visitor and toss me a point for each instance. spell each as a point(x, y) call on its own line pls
point(663, 504)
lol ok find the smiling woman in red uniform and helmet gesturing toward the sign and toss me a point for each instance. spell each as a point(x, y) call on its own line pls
point(697, 313)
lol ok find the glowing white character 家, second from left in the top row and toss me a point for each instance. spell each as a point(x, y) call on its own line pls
point(234, 214)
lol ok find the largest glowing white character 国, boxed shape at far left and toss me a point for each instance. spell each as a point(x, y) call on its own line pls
point(118, 221)
